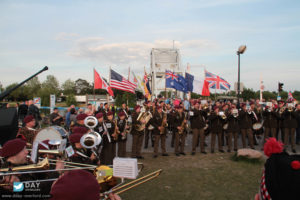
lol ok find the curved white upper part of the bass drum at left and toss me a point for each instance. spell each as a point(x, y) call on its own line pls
point(51, 133)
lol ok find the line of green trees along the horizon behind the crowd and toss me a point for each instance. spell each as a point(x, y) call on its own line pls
point(70, 88)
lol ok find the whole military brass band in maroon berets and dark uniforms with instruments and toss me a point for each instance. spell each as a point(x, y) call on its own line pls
point(99, 136)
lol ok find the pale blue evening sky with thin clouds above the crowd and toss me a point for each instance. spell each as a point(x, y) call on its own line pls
point(73, 37)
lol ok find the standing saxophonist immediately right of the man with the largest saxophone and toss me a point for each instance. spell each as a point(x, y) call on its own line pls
point(159, 123)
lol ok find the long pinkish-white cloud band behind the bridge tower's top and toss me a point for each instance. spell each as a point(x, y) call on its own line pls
point(131, 53)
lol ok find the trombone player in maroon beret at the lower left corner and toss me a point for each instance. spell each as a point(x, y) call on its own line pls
point(15, 154)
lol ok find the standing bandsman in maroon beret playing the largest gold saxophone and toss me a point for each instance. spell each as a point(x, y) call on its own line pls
point(137, 136)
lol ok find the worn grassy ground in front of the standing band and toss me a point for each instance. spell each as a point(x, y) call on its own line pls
point(208, 177)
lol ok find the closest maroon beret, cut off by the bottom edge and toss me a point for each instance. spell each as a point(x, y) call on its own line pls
point(76, 185)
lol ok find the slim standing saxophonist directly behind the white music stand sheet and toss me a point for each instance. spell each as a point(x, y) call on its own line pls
point(122, 137)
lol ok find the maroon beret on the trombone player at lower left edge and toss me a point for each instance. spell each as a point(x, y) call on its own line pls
point(12, 147)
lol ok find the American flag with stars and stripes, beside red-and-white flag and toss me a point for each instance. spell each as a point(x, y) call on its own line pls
point(117, 81)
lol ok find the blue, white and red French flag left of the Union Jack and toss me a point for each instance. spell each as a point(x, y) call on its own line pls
point(197, 85)
